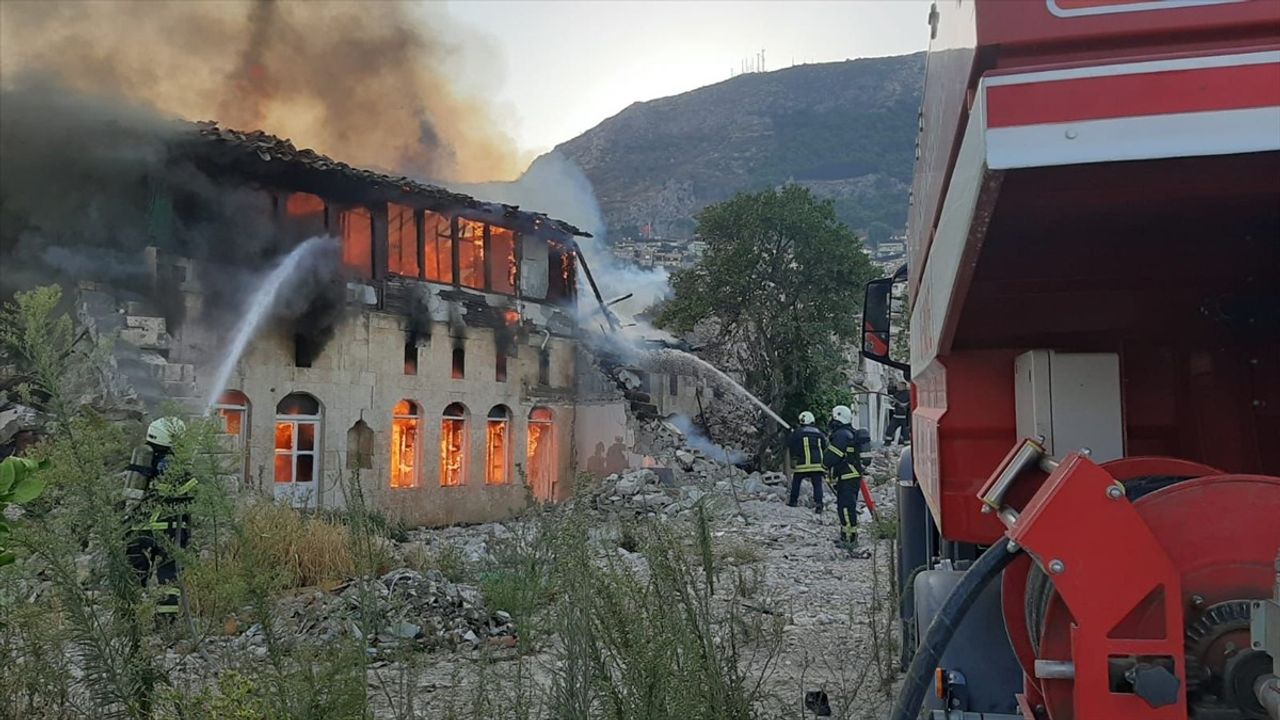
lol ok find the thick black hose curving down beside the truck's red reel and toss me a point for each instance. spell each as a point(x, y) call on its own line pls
point(920, 676)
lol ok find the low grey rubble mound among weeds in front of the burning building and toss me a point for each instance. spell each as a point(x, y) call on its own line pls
point(408, 609)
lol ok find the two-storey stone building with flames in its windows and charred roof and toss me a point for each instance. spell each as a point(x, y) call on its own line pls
point(433, 357)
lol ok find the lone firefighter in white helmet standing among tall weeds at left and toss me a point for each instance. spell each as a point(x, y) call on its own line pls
point(157, 505)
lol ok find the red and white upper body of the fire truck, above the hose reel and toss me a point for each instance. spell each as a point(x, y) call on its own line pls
point(1098, 176)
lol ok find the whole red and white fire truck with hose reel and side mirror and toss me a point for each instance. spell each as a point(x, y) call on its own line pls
point(1090, 520)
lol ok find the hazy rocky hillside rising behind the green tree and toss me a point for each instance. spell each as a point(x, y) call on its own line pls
point(847, 130)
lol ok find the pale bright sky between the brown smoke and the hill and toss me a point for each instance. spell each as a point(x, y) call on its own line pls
point(557, 69)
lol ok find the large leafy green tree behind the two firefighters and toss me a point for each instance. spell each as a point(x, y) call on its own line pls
point(781, 284)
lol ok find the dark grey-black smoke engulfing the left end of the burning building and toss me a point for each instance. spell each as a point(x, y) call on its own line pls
point(88, 185)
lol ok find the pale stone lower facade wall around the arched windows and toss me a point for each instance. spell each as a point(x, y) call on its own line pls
point(360, 376)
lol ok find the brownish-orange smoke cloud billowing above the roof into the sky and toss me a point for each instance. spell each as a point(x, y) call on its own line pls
point(373, 84)
